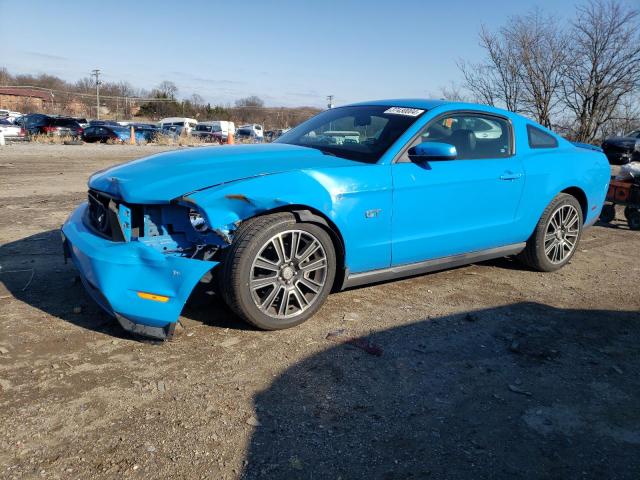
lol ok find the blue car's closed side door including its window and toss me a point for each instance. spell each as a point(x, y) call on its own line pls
point(450, 207)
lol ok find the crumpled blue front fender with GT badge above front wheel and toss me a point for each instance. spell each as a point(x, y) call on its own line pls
point(342, 197)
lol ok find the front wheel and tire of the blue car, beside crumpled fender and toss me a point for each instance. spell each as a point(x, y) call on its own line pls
point(293, 287)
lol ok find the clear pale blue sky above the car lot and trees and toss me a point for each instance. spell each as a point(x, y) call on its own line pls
point(289, 53)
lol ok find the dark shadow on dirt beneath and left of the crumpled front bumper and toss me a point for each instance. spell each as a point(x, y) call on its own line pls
point(33, 271)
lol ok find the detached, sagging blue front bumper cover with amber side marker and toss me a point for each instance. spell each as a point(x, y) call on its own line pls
point(115, 272)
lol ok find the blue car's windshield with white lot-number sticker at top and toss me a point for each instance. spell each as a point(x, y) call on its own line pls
point(362, 133)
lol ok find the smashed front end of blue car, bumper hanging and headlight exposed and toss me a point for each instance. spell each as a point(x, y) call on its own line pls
point(140, 263)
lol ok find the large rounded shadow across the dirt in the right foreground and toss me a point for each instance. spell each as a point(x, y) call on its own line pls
point(521, 391)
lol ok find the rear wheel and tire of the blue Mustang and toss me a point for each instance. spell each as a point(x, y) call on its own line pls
point(550, 248)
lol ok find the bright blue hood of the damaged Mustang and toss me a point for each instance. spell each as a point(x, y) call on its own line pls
point(165, 176)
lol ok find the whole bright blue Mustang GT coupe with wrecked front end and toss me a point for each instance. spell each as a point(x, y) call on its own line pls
point(358, 194)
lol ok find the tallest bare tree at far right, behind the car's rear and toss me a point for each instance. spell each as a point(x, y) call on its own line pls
point(605, 47)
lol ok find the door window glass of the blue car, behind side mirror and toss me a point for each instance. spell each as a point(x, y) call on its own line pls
point(476, 136)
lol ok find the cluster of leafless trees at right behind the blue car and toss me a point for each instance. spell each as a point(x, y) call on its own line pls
point(580, 78)
